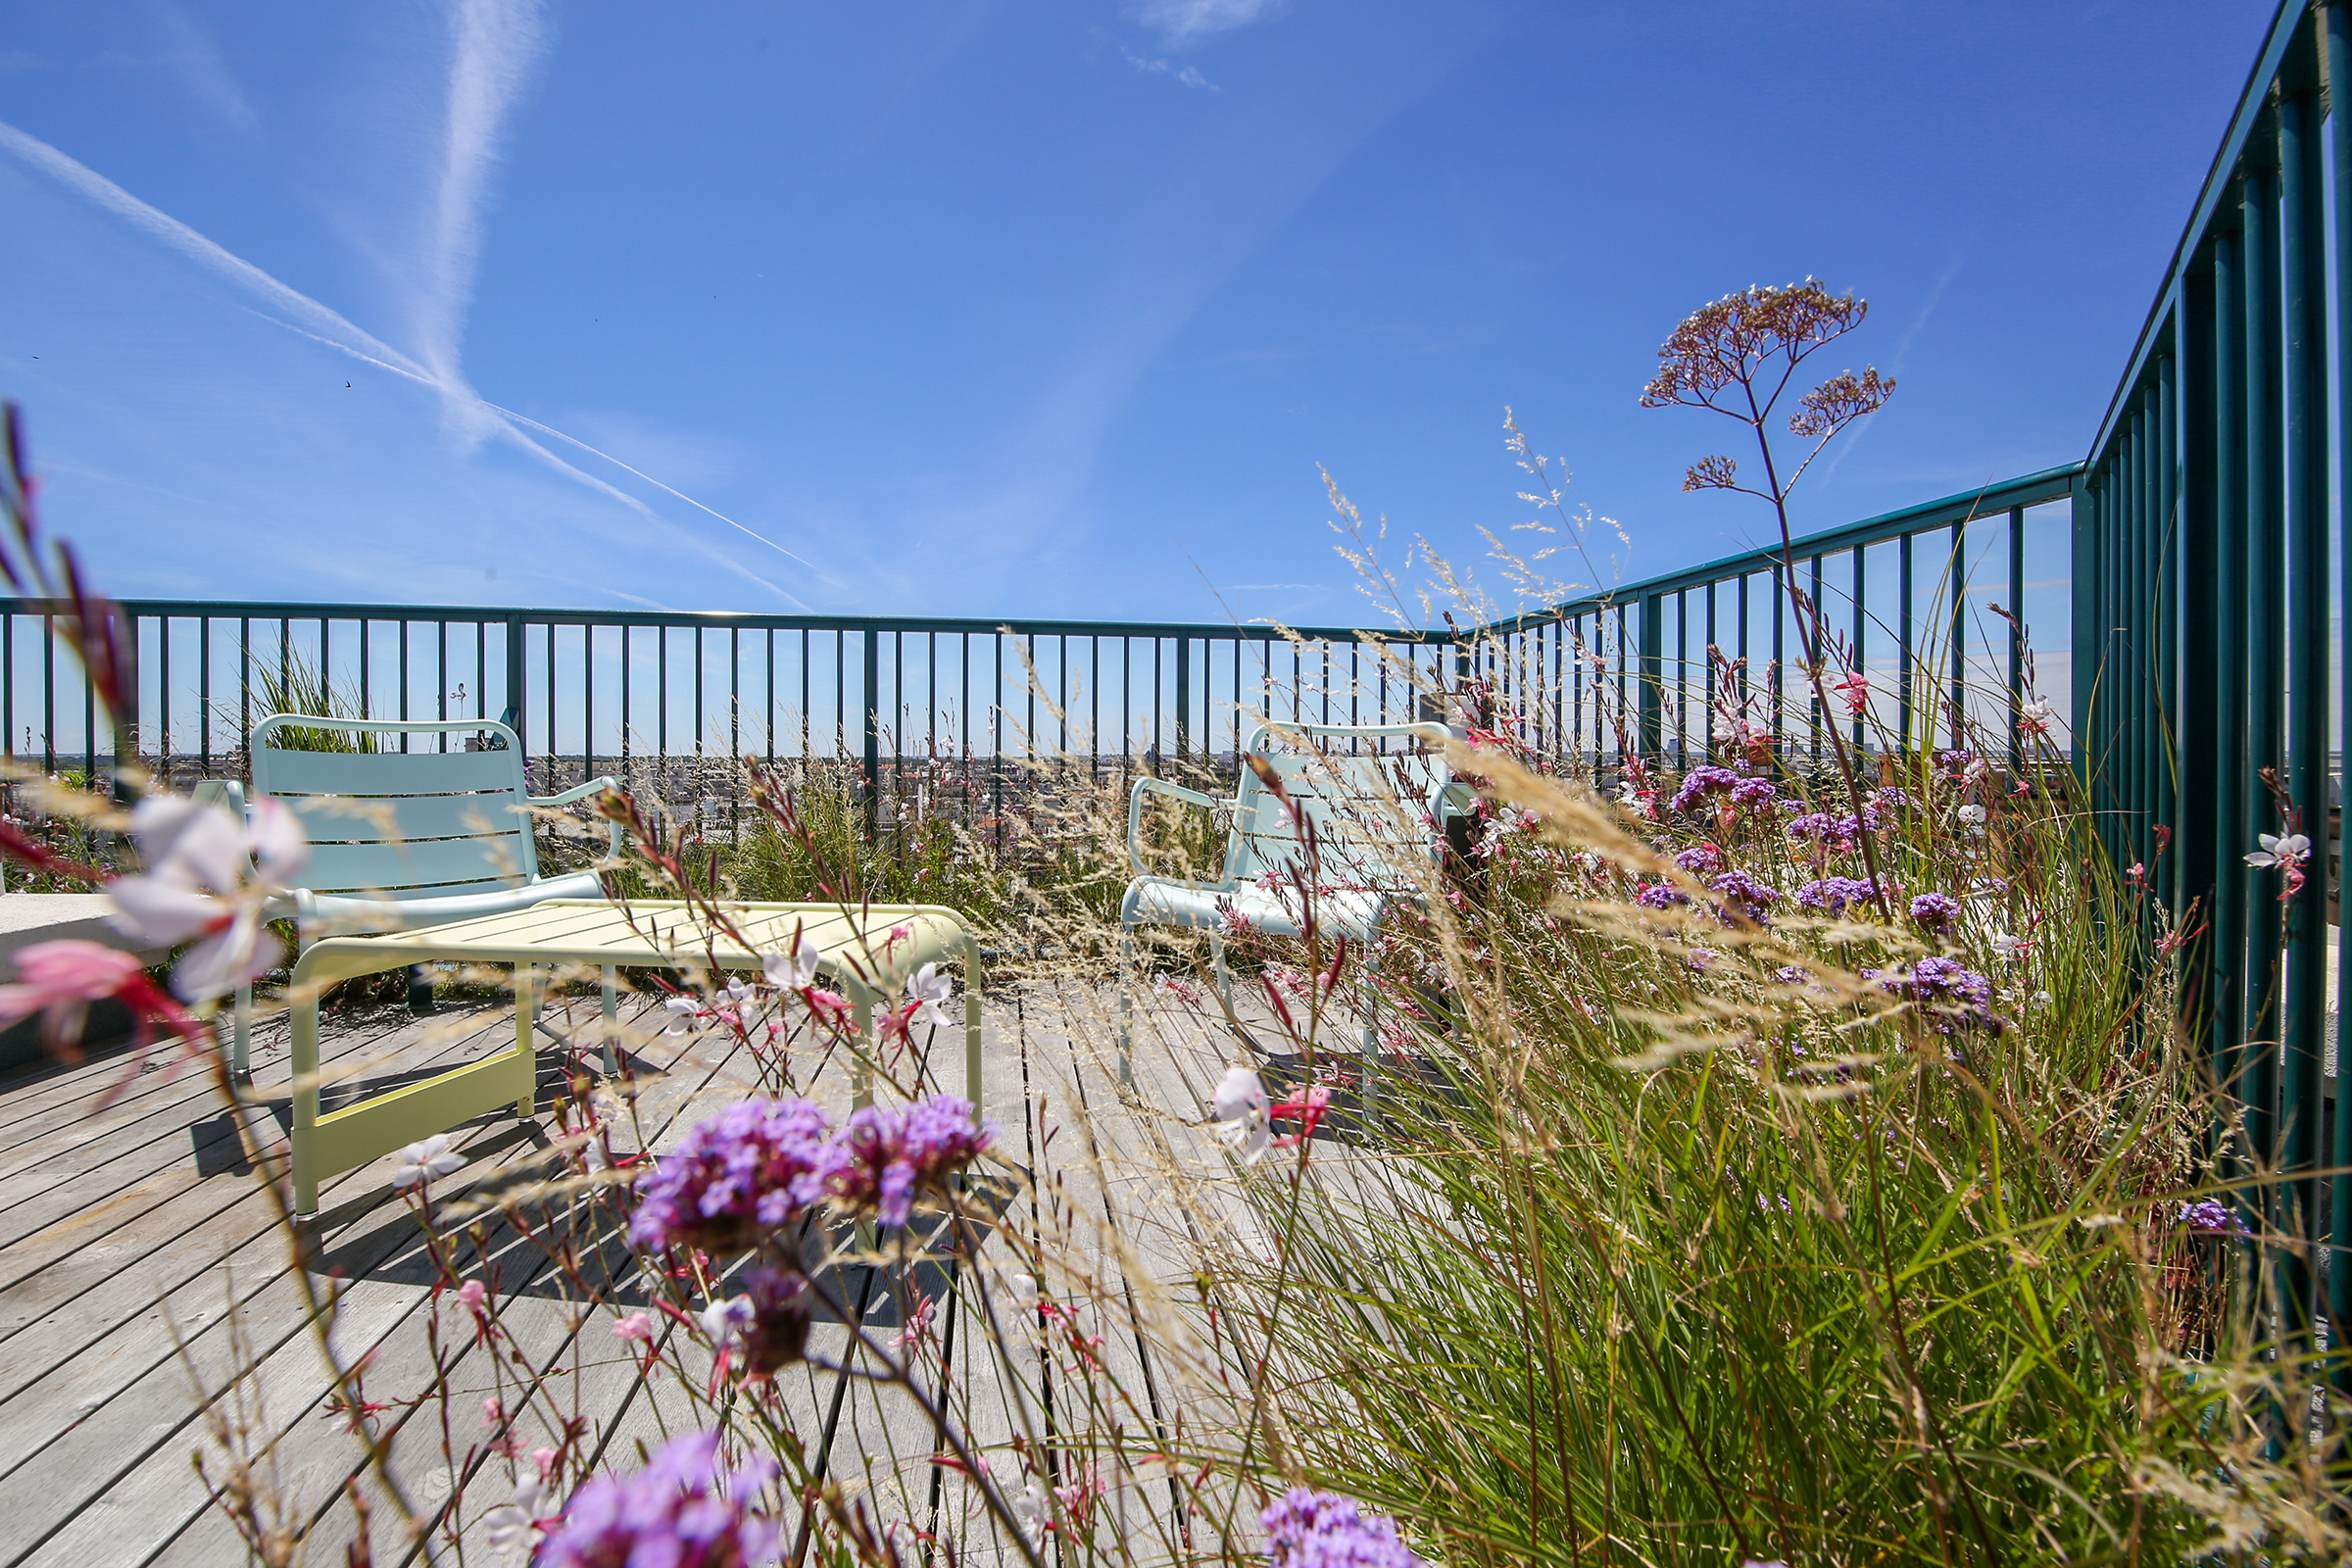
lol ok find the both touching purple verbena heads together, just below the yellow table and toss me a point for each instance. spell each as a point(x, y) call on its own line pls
point(761, 1165)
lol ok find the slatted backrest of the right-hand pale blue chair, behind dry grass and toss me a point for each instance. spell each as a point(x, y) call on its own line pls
point(1372, 812)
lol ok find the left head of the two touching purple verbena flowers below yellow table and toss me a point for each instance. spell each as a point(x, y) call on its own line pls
point(749, 1170)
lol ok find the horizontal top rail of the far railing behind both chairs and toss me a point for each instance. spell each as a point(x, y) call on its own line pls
point(982, 626)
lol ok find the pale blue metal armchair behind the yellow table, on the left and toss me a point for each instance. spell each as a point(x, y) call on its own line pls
point(413, 838)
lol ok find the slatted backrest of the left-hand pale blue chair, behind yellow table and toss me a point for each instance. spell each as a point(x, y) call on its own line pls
point(403, 824)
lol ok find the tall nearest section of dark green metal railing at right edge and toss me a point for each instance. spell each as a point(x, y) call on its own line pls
point(2210, 591)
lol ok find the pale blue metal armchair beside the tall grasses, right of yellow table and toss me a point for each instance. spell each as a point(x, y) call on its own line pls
point(1379, 822)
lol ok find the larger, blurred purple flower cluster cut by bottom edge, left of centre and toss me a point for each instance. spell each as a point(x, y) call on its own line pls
point(671, 1513)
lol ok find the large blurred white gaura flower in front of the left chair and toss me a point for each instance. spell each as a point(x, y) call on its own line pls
point(208, 878)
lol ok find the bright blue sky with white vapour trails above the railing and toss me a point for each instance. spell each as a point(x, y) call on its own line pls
point(1041, 309)
